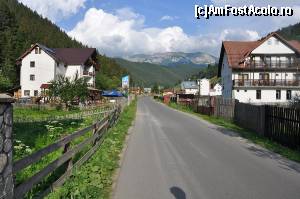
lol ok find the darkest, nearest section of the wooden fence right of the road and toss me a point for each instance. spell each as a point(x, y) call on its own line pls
point(280, 124)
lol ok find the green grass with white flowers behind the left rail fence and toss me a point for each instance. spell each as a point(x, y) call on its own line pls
point(32, 136)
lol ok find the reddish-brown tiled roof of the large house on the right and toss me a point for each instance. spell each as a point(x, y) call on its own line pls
point(237, 51)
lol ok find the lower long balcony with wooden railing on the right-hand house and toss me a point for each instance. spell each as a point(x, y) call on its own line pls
point(265, 82)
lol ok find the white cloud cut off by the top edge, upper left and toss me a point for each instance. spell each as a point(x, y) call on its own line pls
point(55, 9)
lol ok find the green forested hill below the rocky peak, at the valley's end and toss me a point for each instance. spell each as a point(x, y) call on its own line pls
point(146, 74)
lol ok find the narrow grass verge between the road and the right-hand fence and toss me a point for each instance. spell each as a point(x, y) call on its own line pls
point(252, 136)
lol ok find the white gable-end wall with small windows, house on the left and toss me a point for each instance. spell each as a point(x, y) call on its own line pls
point(43, 71)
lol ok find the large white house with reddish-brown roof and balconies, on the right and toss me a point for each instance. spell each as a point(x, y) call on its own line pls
point(263, 71)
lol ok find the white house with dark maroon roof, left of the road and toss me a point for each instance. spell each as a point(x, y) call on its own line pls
point(39, 65)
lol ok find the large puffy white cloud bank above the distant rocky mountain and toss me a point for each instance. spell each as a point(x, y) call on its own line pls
point(123, 33)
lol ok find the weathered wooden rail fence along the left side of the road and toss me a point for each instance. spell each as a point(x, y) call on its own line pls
point(99, 128)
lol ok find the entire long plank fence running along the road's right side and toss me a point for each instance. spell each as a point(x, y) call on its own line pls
point(280, 124)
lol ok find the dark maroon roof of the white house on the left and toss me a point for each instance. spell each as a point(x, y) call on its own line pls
point(69, 56)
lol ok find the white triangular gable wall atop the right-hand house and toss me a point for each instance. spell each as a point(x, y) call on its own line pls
point(271, 46)
